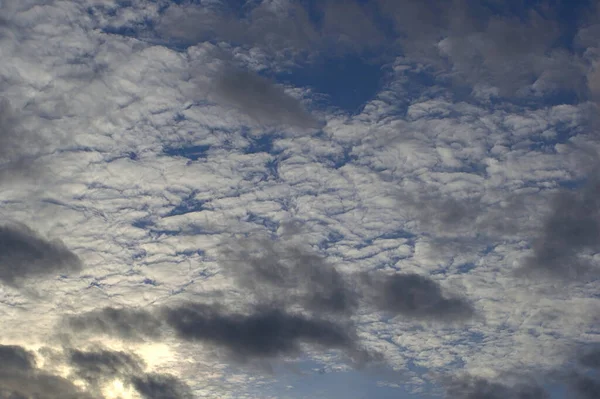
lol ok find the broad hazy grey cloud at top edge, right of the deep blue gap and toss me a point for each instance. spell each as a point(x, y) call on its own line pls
point(512, 48)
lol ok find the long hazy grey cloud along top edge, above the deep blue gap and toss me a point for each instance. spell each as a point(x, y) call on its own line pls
point(282, 29)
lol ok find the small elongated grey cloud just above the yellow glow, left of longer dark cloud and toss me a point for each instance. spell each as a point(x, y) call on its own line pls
point(128, 324)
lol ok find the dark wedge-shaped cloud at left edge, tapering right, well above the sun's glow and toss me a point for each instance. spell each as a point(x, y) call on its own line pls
point(23, 253)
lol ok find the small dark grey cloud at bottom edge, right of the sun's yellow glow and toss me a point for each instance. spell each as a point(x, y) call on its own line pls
point(161, 386)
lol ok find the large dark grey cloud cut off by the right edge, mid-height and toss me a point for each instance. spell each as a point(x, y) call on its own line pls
point(571, 229)
